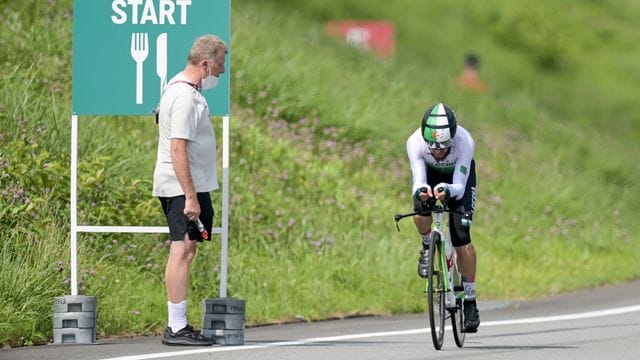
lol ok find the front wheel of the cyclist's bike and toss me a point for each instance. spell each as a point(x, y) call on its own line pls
point(435, 291)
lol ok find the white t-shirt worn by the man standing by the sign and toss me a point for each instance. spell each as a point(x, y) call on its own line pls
point(184, 114)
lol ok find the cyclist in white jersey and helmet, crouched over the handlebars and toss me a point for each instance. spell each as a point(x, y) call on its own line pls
point(441, 157)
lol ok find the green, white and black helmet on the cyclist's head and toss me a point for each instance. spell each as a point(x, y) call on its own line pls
point(439, 126)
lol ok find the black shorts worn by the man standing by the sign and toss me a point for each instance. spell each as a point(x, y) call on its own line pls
point(179, 224)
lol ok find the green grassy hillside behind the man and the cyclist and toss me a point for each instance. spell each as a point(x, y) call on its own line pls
point(318, 165)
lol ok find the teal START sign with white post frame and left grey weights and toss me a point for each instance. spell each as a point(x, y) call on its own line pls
point(123, 53)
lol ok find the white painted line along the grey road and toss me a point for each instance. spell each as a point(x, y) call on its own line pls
point(533, 320)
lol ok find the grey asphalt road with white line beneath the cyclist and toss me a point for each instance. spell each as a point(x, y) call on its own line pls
point(601, 323)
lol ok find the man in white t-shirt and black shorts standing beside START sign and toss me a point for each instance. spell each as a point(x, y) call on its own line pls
point(185, 173)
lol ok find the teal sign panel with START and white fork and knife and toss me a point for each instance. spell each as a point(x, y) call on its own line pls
point(124, 51)
